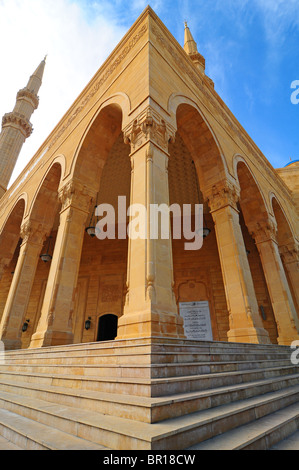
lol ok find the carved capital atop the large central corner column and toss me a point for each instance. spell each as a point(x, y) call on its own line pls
point(149, 126)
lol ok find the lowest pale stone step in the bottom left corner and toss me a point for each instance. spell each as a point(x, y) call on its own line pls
point(32, 435)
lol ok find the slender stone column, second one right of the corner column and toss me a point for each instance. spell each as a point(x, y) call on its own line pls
point(264, 234)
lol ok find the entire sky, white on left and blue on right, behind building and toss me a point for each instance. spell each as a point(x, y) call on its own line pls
point(250, 46)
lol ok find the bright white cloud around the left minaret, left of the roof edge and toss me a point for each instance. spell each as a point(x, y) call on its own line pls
point(76, 48)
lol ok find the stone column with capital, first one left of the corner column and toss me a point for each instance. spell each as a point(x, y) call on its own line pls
point(55, 324)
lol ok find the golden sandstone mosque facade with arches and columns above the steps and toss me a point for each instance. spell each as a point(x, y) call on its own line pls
point(149, 126)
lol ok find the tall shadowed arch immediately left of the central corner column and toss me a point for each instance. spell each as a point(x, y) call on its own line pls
point(102, 165)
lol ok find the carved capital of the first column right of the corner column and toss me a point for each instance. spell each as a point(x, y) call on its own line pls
point(221, 195)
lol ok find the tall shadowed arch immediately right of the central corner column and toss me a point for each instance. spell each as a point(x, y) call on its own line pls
point(196, 167)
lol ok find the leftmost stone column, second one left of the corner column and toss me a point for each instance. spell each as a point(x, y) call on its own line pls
point(33, 235)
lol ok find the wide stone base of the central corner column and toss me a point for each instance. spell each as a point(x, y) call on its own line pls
point(150, 324)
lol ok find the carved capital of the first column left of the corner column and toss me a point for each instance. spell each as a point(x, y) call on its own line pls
point(77, 195)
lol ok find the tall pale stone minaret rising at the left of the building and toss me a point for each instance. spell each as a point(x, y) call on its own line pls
point(16, 126)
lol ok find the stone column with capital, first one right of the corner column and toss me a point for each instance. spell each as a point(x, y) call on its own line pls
point(244, 319)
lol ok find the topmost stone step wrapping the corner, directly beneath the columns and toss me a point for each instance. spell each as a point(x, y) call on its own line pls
point(174, 351)
